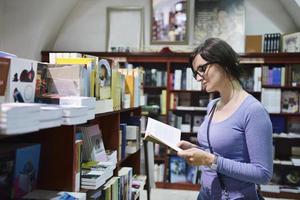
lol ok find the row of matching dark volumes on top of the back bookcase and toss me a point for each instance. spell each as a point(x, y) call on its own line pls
point(271, 43)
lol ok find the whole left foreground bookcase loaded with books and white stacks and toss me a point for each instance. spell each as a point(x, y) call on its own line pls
point(61, 131)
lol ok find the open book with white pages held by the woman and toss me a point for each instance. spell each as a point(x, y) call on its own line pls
point(161, 133)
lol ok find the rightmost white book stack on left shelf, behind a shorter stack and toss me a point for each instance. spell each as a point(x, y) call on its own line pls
point(89, 102)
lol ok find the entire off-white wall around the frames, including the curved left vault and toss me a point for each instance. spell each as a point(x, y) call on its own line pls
point(29, 26)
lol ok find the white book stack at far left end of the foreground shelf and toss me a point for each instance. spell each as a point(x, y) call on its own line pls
point(16, 118)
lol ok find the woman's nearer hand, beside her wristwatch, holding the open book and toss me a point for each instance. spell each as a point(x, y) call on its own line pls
point(195, 156)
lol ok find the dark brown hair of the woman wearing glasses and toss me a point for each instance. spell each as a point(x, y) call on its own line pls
point(218, 51)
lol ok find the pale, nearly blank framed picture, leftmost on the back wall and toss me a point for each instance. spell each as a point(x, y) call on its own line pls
point(125, 30)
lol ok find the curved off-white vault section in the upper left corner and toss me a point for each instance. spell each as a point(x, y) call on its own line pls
point(32, 25)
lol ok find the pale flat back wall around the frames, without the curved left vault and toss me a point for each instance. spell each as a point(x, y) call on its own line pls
point(85, 29)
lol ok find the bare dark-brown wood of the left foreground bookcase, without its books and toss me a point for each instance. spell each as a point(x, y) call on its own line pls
point(57, 159)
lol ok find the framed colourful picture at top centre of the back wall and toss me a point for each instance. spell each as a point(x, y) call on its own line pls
point(169, 22)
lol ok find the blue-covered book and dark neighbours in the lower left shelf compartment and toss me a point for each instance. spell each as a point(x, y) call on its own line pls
point(19, 169)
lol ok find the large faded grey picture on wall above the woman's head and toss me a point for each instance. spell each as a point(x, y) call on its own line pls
point(224, 19)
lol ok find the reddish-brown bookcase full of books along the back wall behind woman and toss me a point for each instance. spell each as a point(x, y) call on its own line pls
point(270, 77)
